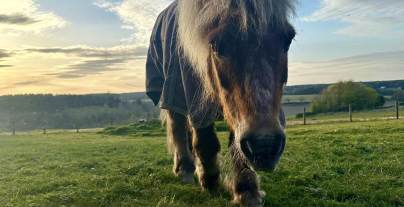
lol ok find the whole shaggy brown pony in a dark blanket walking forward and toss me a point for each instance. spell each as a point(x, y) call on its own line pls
point(230, 57)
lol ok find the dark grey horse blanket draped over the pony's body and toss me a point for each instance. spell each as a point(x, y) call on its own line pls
point(170, 79)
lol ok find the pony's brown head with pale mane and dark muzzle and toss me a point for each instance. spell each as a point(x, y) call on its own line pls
point(239, 49)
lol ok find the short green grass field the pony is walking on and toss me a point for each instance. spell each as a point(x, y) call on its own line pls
point(346, 164)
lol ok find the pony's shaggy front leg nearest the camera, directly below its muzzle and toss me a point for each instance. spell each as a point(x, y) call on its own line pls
point(242, 180)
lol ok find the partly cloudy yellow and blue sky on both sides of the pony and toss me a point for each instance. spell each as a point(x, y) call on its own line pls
point(99, 46)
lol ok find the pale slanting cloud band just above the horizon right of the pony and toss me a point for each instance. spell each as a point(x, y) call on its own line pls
point(369, 67)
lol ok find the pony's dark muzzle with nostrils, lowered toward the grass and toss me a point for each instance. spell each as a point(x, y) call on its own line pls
point(264, 152)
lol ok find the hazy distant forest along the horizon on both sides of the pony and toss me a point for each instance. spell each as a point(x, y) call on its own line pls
point(29, 112)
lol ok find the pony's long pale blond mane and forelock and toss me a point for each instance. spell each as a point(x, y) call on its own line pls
point(195, 17)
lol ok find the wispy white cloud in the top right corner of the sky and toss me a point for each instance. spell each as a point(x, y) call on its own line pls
point(363, 17)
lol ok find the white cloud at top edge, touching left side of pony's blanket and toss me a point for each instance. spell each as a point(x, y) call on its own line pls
point(136, 15)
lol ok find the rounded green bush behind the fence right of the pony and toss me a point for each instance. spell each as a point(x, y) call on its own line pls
point(337, 97)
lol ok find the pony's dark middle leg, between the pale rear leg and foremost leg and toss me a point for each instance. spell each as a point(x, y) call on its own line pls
point(206, 147)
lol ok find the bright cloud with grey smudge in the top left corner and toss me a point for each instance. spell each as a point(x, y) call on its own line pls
point(24, 16)
